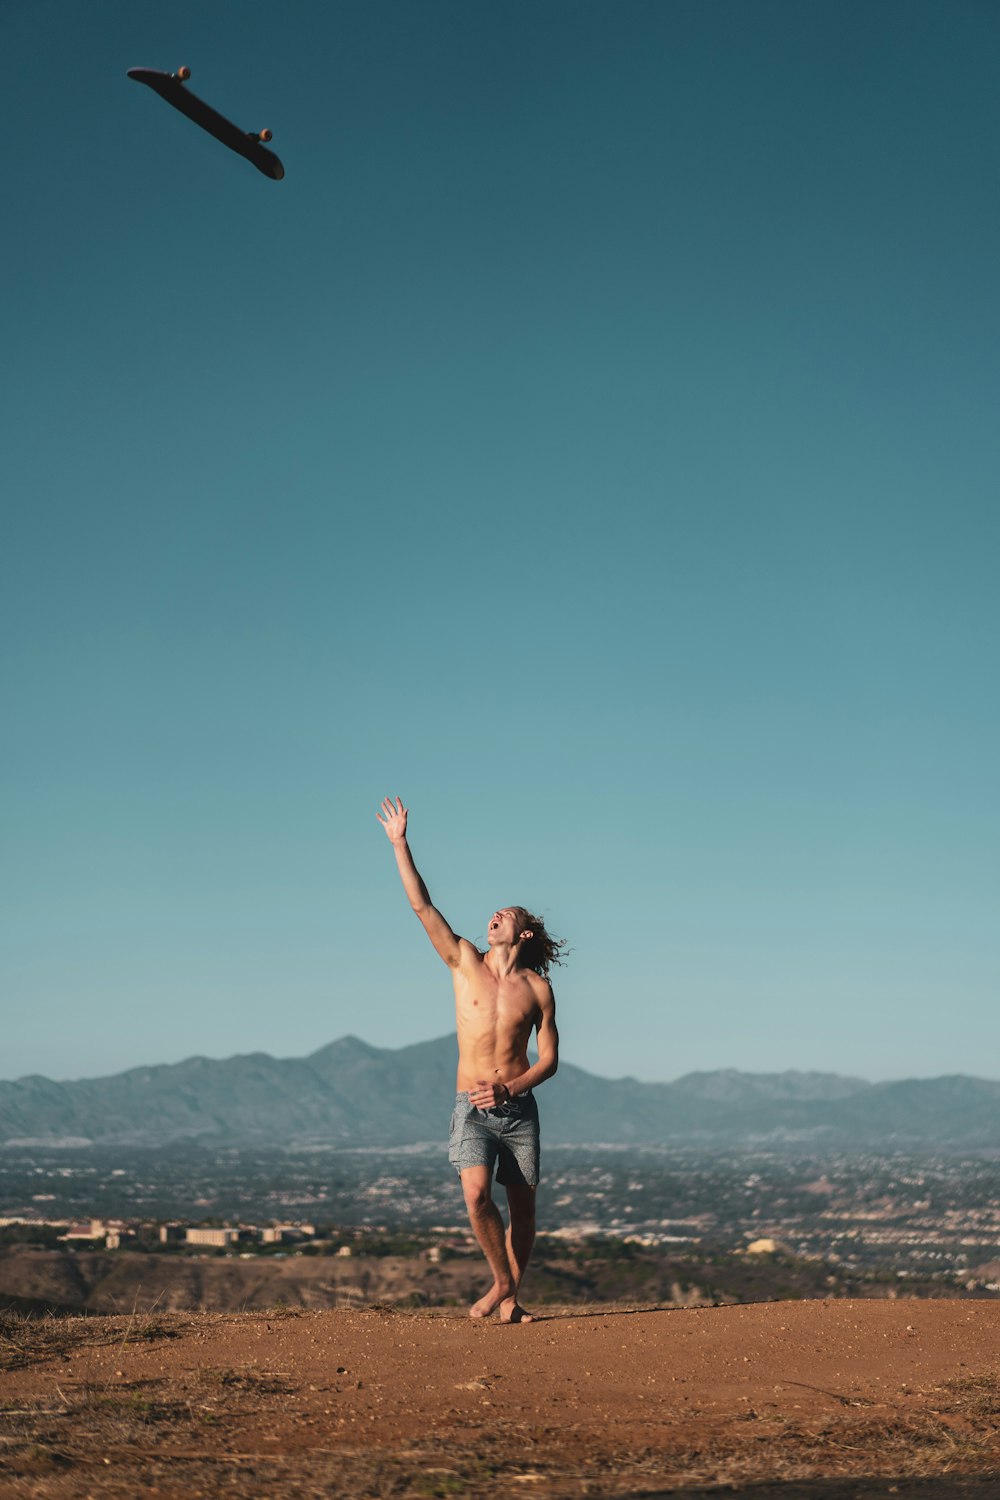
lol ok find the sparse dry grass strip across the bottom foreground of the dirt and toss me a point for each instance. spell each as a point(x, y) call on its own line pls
point(149, 1438)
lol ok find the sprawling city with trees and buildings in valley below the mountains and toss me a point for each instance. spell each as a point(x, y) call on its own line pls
point(731, 1226)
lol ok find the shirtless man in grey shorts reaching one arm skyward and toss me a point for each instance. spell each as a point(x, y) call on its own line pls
point(500, 998)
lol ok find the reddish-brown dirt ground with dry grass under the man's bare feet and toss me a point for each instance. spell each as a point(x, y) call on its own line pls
point(773, 1402)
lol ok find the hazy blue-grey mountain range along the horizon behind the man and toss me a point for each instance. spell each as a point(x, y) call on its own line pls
point(362, 1096)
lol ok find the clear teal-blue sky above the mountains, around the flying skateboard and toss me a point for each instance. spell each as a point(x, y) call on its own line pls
point(591, 440)
